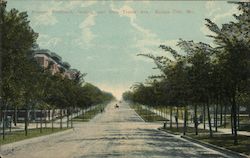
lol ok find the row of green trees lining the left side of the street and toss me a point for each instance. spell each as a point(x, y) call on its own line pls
point(25, 84)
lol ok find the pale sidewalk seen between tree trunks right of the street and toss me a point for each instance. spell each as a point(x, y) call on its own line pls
point(222, 130)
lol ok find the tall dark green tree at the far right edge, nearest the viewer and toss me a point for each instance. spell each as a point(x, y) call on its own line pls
point(232, 42)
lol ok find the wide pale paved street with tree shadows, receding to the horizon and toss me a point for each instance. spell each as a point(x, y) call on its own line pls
point(117, 132)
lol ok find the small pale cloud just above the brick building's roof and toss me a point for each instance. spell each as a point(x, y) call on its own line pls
point(45, 41)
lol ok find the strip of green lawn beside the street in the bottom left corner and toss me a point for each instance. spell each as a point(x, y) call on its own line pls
point(20, 135)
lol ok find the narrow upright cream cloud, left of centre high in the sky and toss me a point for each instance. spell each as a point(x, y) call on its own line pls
point(87, 35)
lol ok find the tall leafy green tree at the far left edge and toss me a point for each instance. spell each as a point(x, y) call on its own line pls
point(17, 38)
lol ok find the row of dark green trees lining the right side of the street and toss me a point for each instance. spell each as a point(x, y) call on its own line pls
point(205, 76)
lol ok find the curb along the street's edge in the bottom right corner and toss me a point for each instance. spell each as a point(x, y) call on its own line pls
point(217, 148)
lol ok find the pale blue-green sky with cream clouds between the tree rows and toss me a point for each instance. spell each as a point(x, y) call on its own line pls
point(103, 38)
